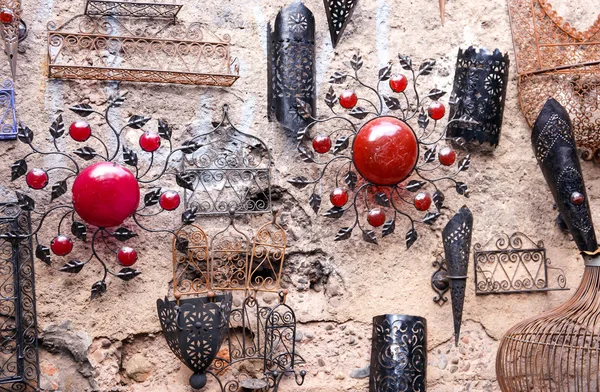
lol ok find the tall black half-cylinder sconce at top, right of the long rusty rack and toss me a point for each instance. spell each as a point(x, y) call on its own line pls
point(291, 67)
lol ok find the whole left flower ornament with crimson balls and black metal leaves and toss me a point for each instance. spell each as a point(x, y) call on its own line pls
point(97, 200)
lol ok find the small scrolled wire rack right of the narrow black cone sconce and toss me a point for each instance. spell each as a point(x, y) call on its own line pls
point(514, 264)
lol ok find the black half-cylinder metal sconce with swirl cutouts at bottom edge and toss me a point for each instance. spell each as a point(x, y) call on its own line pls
point(398, 354)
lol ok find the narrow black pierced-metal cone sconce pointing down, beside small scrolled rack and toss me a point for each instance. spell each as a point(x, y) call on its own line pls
point(452, 271)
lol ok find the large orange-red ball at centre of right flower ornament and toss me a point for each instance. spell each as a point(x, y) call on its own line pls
point(385, 150)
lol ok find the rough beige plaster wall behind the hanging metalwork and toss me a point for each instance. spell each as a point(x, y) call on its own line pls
point(114, 343)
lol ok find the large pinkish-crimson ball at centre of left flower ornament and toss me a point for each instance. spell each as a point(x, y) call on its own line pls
point(105, 194)
